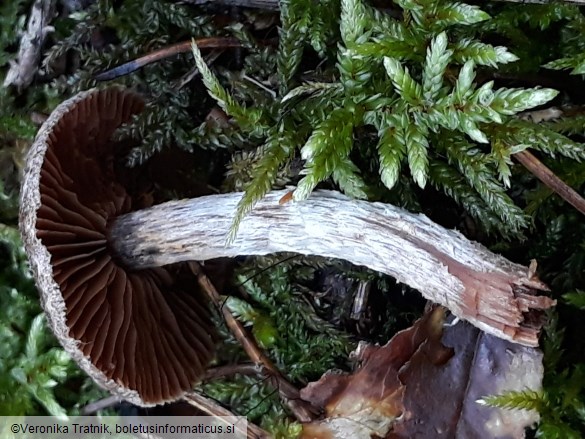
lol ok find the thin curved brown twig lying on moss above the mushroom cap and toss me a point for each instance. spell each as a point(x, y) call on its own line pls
point(166, 52)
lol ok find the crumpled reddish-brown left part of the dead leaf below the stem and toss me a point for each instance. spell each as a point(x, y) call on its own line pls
point(367, 402)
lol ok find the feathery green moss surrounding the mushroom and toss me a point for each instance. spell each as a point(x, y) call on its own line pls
point(415, 104)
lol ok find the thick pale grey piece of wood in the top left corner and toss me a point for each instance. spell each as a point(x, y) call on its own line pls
point(23, 71)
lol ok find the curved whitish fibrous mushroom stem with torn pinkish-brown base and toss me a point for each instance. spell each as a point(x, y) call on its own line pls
point(477, 285)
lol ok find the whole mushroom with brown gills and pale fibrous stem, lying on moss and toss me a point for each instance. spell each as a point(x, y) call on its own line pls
point(106, 270)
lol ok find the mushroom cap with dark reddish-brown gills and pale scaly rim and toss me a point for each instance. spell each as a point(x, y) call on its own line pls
point(143, 335)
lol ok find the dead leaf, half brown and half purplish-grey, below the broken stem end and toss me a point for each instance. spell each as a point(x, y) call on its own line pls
point(425, 383)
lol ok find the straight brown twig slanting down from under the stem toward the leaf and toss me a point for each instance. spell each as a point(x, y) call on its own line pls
point(302, 410)
